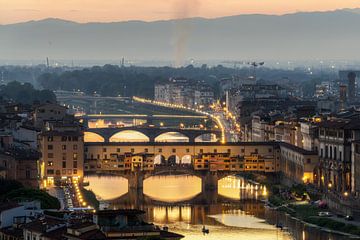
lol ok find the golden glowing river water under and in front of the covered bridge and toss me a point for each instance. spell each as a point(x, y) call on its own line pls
point(236, 211)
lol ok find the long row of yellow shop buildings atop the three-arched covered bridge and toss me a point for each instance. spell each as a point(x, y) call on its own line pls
point(261, 156)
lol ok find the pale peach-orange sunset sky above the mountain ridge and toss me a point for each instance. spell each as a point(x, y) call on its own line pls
point(12, 11)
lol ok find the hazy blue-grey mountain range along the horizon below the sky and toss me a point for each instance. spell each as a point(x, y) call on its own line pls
point(314, 35)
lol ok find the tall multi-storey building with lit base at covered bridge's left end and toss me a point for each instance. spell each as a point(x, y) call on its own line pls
point(62, 148)
